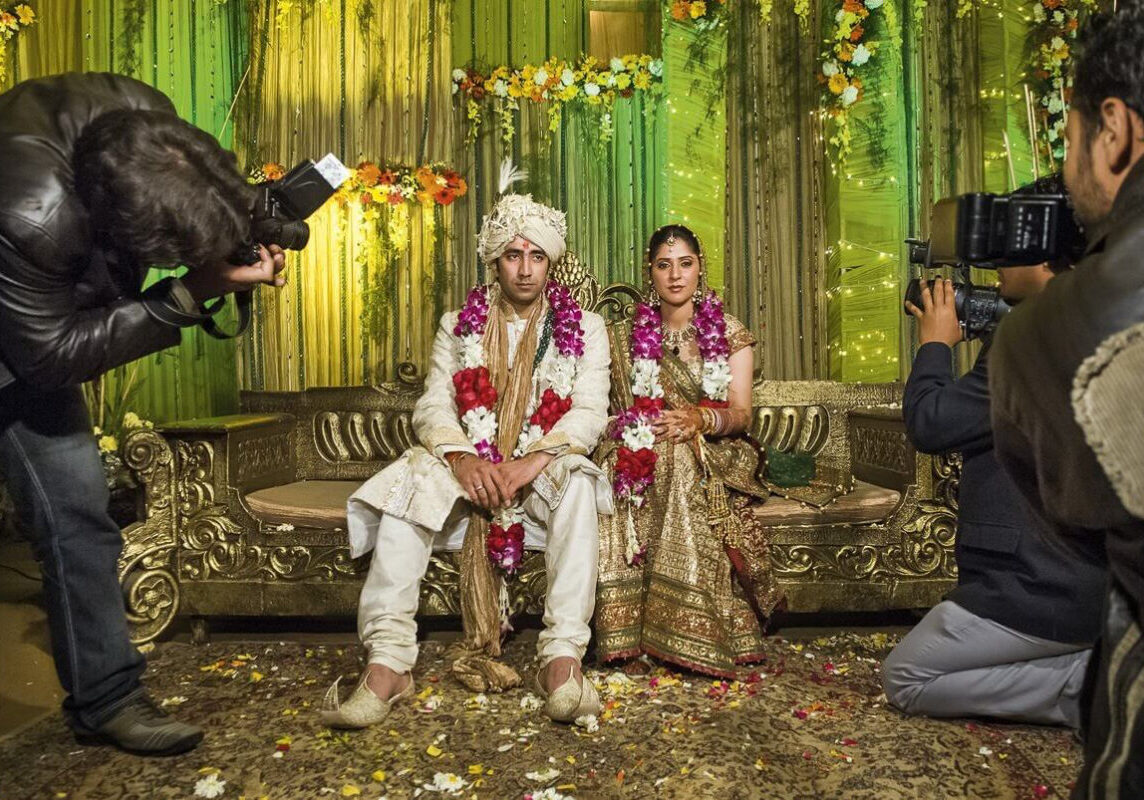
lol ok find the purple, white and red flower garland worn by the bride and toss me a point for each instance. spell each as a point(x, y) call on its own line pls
point(635, 463)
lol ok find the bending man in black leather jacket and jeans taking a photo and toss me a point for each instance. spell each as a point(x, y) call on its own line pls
point(101, 183)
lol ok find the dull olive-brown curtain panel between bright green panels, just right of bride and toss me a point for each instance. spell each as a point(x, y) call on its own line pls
point(776, 193)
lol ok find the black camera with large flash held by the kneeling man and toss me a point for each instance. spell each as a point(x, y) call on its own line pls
point(1029, 227)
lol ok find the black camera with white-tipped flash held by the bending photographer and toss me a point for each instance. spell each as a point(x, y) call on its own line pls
point(282, 208)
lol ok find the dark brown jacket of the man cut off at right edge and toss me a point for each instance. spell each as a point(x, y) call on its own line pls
point(1038, 352)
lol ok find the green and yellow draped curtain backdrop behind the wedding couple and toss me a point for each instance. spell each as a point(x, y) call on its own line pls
point(812, 260)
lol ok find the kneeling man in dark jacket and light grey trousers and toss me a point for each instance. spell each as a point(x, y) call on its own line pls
point(1013, 640)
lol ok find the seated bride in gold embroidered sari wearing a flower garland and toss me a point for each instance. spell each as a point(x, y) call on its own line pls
point(677, 581)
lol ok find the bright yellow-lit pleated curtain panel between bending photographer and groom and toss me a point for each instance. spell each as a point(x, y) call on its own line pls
point(367, 82)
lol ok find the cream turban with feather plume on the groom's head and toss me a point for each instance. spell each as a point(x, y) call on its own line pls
point(520, 216)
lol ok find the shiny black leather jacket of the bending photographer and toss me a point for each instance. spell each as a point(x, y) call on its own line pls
point(69, 311)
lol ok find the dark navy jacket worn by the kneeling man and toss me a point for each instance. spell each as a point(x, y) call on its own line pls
point(1008, 572)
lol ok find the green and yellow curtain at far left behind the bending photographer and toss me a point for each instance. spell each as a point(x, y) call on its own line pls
point(194, 51)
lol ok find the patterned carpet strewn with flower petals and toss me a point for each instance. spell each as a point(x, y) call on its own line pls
point(811, 723)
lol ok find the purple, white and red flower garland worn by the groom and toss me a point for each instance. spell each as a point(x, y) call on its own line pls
point(476, 398)
